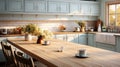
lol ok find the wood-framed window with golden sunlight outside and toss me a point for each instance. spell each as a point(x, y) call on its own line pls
point(113, 14)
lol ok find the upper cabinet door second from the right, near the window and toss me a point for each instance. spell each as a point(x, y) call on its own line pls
point(85, 8)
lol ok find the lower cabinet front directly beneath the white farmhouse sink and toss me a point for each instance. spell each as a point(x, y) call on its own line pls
point(106, 46)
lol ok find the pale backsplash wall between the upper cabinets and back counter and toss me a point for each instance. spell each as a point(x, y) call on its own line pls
point(50, 22)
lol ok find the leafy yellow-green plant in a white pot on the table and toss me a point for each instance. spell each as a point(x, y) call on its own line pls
point(30, 29)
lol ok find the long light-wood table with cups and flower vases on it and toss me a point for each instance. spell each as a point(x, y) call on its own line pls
point(50, 55)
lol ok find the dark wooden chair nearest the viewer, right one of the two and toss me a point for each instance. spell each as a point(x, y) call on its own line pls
point(23, 62)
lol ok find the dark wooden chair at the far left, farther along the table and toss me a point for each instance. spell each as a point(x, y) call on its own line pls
point(8, 53)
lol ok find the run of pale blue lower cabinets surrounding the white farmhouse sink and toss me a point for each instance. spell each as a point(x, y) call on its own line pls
point(90, 40)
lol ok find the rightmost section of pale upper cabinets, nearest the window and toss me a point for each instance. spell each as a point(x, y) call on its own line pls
point(84, 8)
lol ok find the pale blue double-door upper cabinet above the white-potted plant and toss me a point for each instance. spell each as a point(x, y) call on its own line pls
point(35, 6)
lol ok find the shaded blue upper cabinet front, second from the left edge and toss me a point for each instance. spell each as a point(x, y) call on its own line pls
point(15, 5)
